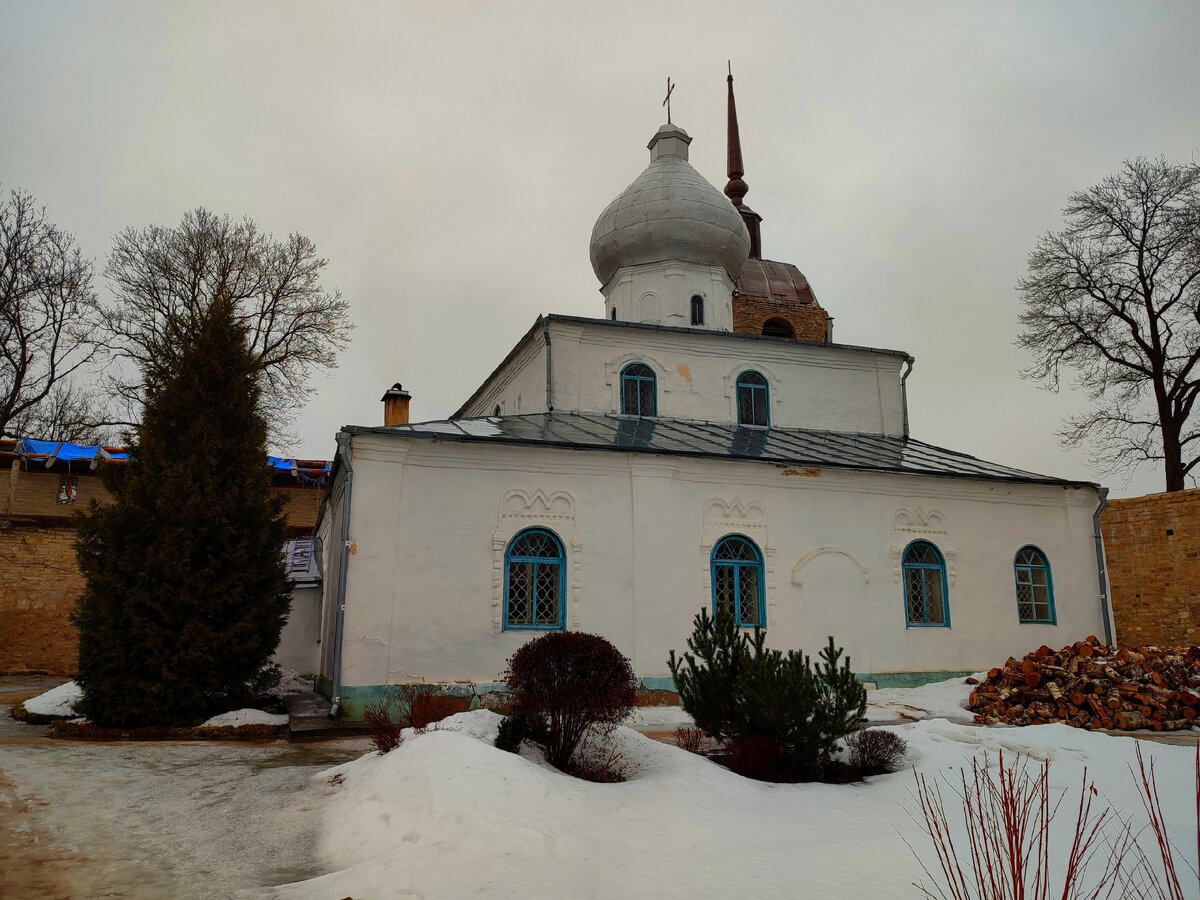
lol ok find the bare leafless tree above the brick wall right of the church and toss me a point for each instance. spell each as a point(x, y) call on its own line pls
point(1115, 299)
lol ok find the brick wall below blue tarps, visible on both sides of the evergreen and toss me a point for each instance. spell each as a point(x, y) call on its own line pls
point(39, 580)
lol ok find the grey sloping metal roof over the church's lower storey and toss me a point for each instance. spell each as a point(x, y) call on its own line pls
point(677, 437)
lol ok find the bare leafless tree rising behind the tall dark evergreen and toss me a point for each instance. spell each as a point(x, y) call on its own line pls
point(165, 280)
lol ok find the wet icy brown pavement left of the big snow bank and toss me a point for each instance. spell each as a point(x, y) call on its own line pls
point(159, 820)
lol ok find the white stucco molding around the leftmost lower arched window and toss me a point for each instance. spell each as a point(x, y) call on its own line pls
point(527, 509)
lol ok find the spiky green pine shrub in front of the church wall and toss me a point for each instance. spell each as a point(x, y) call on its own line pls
point(736, 689)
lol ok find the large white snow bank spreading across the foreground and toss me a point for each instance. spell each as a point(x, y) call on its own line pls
point(448, 815)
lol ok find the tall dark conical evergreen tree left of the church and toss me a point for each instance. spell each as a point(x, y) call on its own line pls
point(185, 587)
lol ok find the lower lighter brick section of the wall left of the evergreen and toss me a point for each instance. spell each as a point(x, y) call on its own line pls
point(39, 586)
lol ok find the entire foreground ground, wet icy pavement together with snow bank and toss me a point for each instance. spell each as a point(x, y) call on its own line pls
point(448, 815)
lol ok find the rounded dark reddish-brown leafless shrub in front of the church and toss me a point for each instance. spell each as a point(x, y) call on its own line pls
point(568, 682)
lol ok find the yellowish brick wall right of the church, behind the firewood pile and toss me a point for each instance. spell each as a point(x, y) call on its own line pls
point(1153, 549)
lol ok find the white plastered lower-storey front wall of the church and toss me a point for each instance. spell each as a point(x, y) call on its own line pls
point(431, 520)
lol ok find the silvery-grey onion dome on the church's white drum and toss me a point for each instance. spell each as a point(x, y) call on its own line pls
point(670, 213)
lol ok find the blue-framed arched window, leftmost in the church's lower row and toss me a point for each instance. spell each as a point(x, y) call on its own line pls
point(535, 581)
